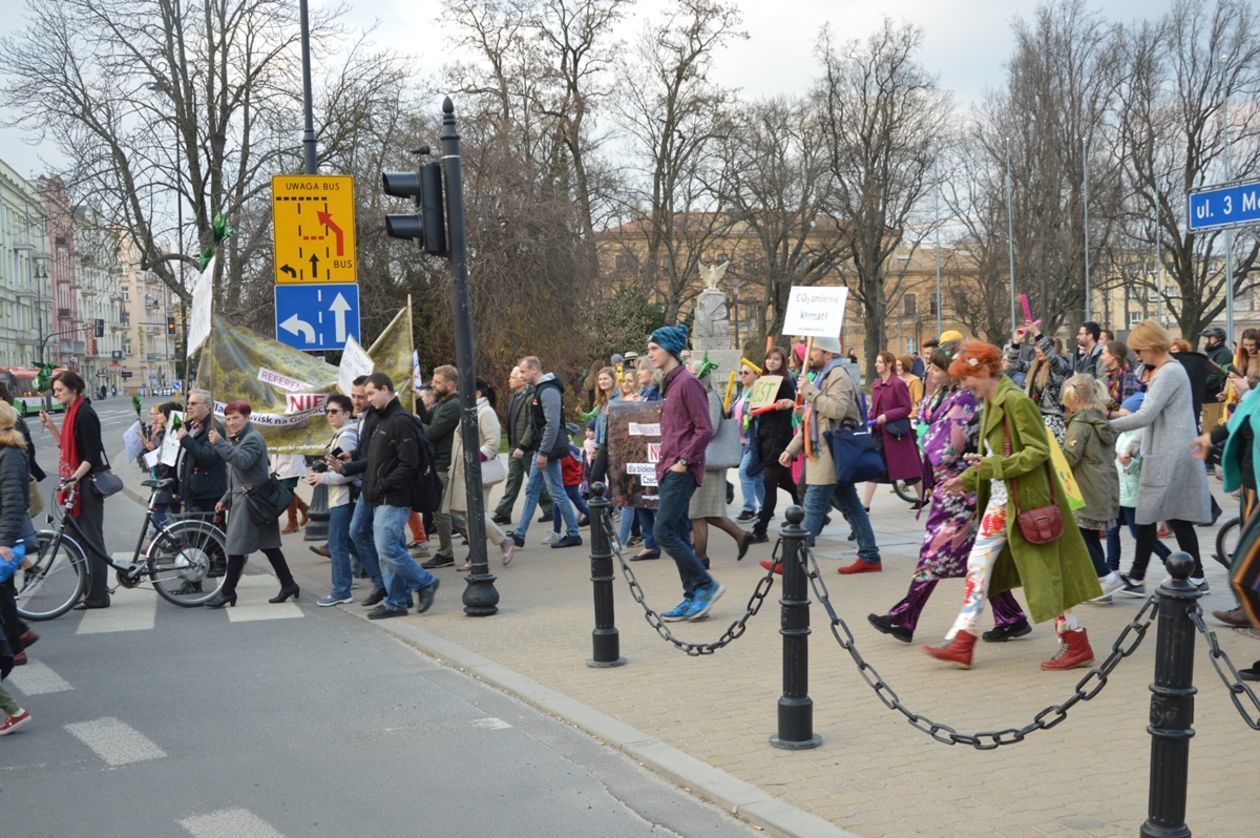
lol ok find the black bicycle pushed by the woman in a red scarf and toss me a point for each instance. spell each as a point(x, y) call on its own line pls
point(186, 561)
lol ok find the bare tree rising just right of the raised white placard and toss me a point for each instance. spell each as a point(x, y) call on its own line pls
point(885, 119)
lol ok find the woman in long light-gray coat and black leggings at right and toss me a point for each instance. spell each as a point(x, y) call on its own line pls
point(1174, 485)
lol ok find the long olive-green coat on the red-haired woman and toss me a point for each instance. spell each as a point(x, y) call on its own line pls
point(1055, 577)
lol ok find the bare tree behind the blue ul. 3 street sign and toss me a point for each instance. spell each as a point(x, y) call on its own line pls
point(1180, 75)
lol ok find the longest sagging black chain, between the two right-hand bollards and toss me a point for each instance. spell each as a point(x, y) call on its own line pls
point(1087, 687)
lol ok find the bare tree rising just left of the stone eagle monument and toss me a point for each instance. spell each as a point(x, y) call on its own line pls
point(676, 115)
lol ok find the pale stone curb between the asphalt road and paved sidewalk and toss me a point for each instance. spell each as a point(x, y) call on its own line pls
point(701, 779)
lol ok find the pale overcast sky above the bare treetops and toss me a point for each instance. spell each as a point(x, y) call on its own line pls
point(967, 42)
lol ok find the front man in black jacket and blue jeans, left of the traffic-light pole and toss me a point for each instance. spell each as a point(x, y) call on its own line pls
point(392, 469)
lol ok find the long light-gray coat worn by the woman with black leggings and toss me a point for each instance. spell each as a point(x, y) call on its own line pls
point(1174, 485)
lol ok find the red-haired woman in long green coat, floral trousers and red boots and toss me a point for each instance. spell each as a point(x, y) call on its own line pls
point(1014, 476)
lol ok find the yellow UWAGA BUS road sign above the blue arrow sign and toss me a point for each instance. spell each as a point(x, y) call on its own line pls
point(313, 219)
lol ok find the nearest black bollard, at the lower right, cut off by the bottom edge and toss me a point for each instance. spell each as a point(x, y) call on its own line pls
point(1172, 704)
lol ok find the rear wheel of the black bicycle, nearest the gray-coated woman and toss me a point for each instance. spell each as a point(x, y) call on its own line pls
point(187, 563)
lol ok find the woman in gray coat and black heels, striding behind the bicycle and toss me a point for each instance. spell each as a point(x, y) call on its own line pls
point(246, 453)
